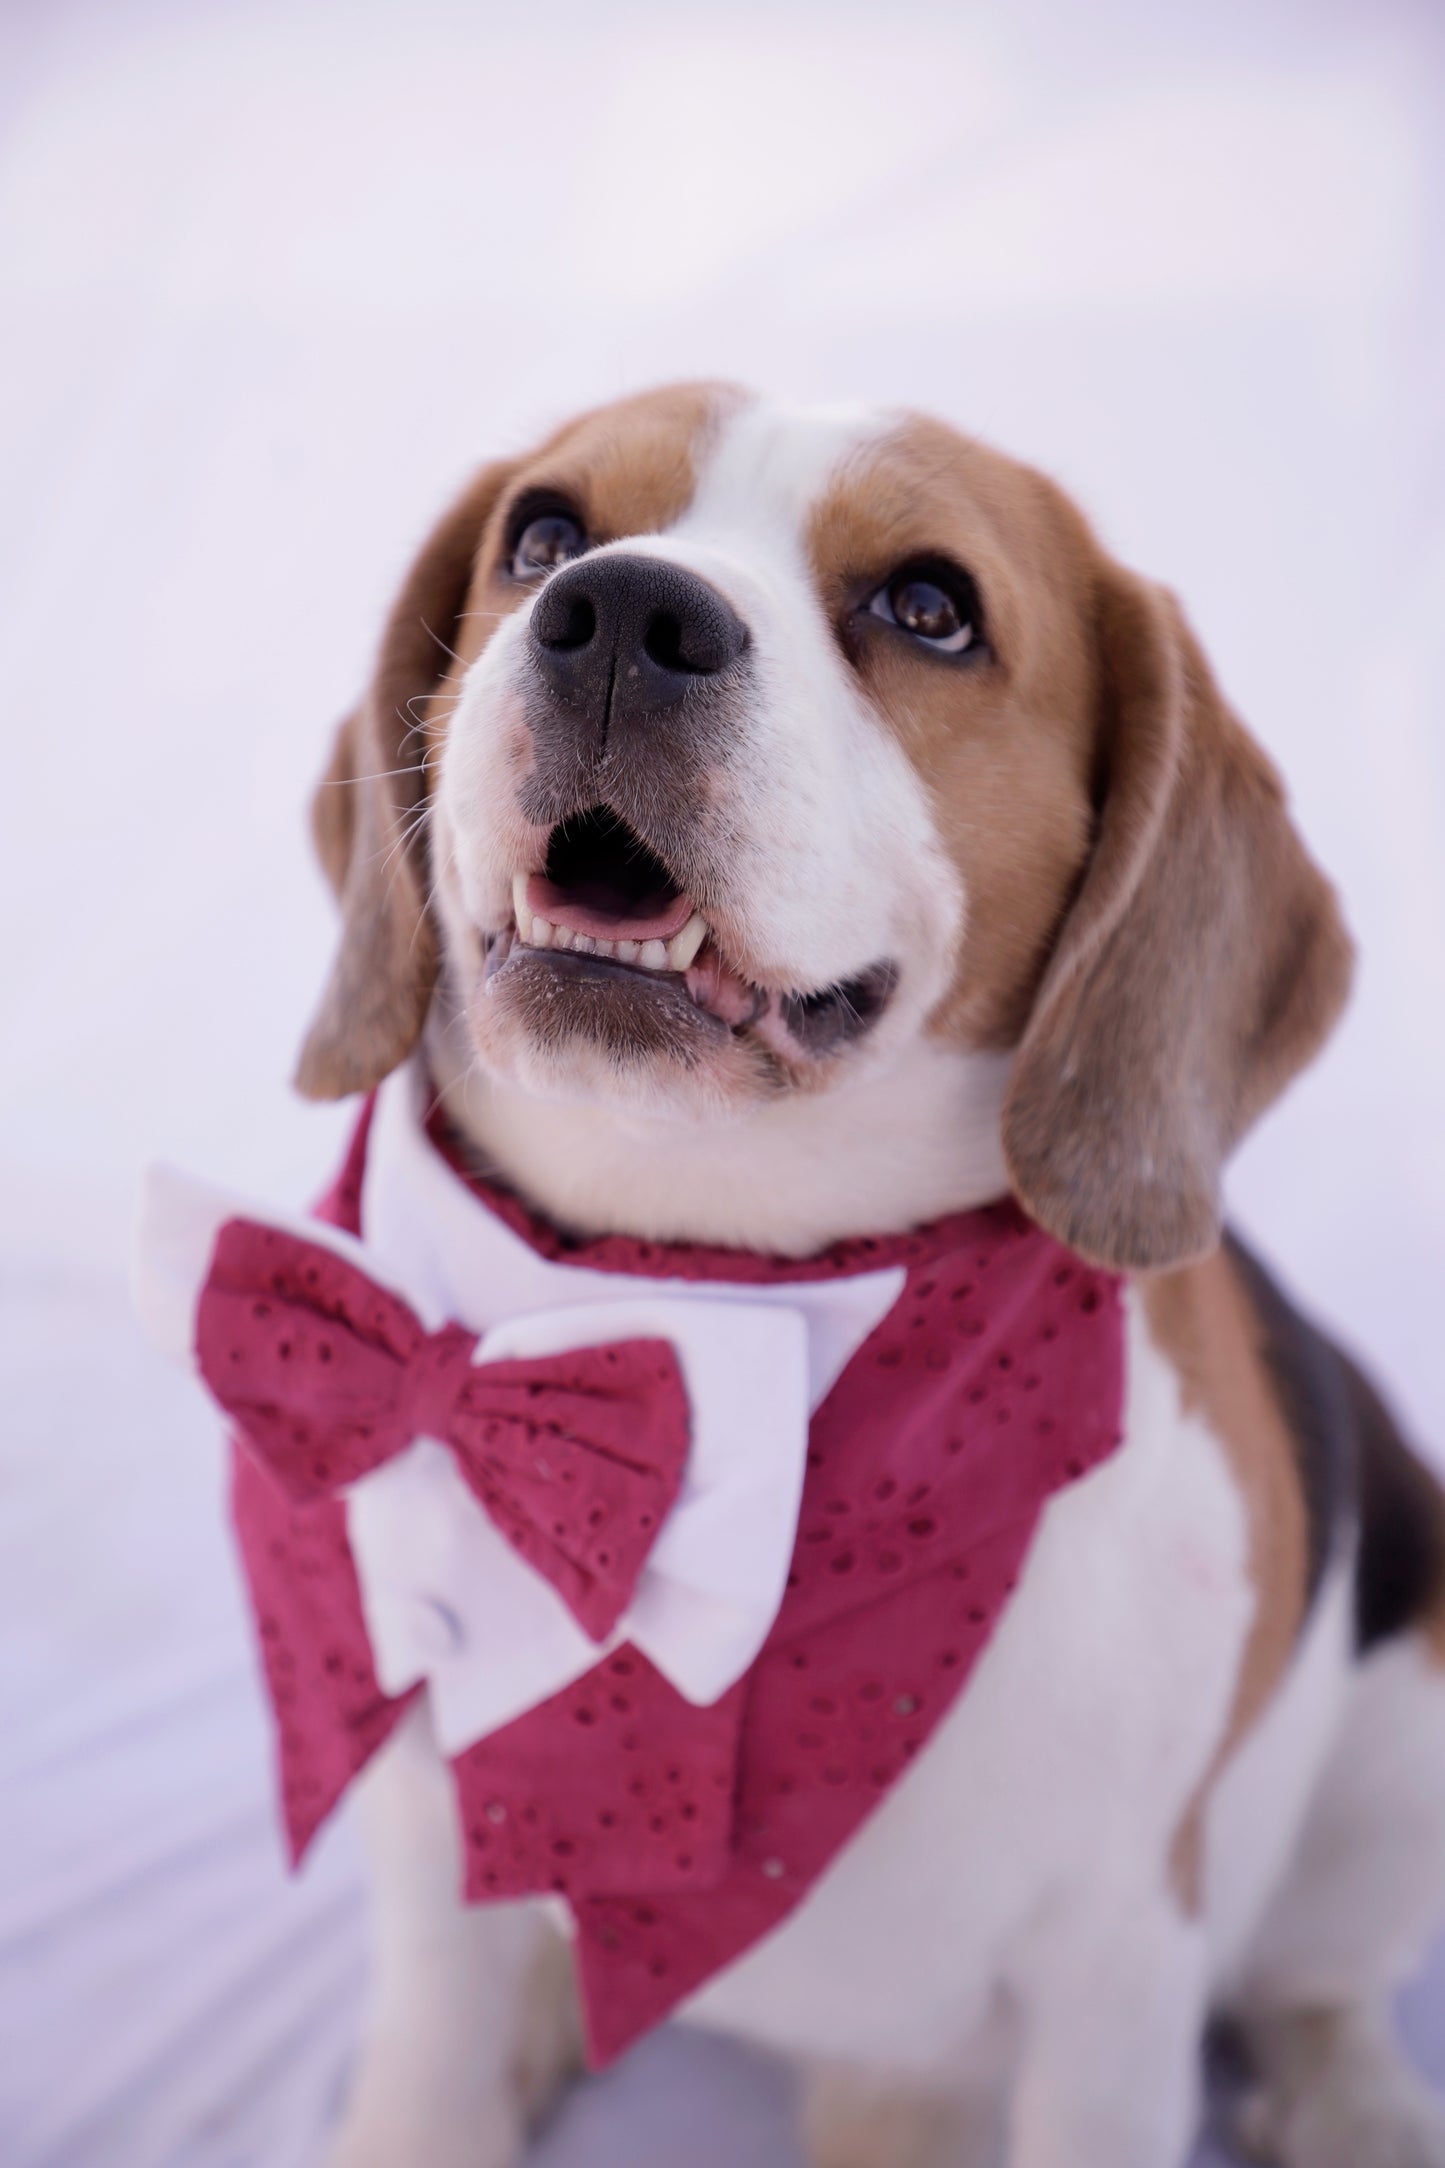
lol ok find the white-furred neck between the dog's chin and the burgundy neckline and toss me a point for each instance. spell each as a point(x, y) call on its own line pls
point(872, 1157)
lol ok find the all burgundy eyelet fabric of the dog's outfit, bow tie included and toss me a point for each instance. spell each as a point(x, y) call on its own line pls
point(677, 1833)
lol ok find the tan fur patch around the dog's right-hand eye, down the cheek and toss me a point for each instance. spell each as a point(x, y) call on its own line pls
point(1004, 743)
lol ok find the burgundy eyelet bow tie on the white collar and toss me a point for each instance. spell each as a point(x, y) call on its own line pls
point(577, 1458)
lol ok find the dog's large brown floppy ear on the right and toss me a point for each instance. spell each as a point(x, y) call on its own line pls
point(1201, 966)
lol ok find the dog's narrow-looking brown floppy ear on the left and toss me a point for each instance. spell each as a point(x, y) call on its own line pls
point(369, 829)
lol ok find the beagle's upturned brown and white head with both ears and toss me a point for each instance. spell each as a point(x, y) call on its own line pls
point(720, 751)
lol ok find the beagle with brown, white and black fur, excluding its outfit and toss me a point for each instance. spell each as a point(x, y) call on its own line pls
point(772, 827)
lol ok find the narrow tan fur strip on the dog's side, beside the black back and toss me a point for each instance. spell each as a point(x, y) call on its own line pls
point(1203, 1324)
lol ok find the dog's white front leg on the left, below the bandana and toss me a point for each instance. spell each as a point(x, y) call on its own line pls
point(471, 2019)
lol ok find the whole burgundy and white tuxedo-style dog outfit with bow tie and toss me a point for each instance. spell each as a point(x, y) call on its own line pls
point(690, 1549)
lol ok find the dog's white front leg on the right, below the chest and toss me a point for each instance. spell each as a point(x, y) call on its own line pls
point(1112, 2022)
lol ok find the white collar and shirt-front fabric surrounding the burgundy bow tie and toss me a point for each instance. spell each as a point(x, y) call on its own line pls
point(447, 1599)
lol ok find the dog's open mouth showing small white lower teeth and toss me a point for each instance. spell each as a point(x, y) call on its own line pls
point(606, 907)
